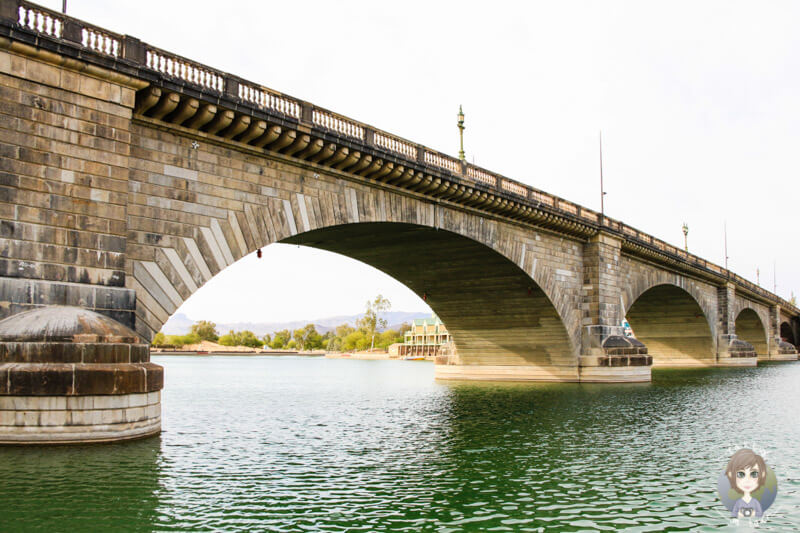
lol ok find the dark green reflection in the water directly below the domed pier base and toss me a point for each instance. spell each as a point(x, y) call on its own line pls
point(80, 488)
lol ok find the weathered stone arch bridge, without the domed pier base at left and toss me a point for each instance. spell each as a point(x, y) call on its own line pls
point(131, 176)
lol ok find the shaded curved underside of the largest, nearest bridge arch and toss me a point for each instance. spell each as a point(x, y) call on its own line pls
point(495, 312)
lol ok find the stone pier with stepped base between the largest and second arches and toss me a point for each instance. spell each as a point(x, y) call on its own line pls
point(607, 355)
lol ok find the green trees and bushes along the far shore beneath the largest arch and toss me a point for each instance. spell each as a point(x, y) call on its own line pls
point(369, 332)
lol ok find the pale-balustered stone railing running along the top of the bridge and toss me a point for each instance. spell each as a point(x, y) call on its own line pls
point(59, 26)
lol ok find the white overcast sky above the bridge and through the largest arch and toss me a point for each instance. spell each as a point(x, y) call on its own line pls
point(697, 101)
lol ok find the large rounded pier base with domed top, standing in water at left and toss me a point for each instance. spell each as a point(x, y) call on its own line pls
point(72, 376)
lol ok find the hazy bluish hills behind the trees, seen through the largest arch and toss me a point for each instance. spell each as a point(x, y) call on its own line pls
point(180, 324)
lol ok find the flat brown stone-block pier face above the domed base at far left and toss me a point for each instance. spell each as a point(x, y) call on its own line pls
point(64, 142)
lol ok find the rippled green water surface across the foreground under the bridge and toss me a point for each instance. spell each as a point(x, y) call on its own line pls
point(291, 444)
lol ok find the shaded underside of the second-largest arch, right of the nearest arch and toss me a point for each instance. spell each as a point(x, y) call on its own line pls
point(670, 322)
